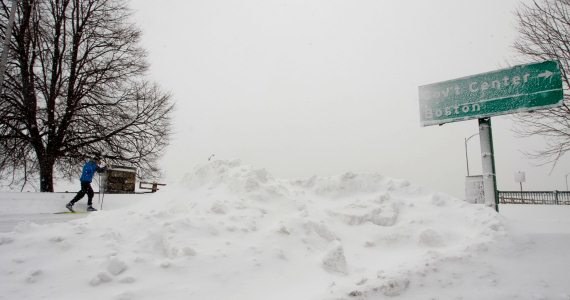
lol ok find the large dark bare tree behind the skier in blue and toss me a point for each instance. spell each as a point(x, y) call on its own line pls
point(75, 85)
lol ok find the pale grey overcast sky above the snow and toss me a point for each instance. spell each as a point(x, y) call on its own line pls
point(323, 87)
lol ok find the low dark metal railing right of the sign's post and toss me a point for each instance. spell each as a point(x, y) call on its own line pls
point(535, 197)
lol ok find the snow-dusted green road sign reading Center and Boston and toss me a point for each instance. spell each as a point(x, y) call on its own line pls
point(521, 88)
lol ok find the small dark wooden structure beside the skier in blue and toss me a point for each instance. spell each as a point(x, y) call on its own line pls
point(119, 180)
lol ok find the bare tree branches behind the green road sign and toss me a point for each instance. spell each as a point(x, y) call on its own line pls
point(544, 29)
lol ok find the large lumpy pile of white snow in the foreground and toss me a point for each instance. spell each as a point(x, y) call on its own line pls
point(235, 232)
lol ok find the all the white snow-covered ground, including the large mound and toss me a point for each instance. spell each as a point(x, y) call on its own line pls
point(230, 231)
